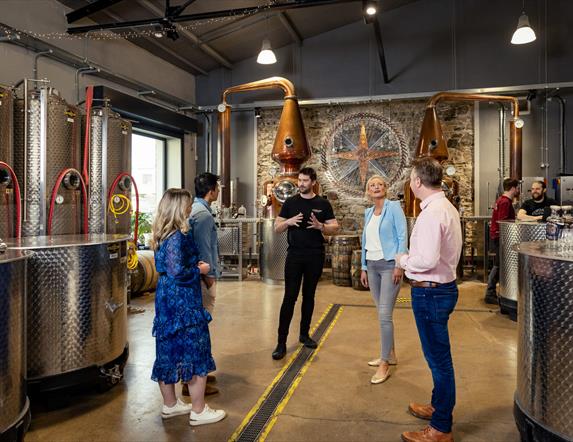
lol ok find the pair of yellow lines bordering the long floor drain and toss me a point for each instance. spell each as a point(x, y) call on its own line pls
point(282, 404)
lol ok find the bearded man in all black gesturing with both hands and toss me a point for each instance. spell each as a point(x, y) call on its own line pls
point(307, 217)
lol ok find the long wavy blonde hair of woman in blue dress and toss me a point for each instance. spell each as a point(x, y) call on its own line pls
point(171, 215)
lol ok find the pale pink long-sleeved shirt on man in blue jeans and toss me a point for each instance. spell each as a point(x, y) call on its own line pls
point(435, 243)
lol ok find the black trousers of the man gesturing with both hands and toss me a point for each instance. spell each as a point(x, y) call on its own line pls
point(305, 269)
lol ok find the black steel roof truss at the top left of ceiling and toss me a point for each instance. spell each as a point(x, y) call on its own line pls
point(173, 14)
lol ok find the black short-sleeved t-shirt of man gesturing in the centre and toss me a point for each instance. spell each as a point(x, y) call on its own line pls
point(300, 239)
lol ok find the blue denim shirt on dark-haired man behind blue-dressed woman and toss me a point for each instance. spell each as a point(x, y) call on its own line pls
point(205, 235)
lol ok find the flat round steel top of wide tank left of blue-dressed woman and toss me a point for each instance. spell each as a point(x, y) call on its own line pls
point(56, 241)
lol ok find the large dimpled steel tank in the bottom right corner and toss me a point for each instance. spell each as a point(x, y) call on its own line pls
point(544, 394)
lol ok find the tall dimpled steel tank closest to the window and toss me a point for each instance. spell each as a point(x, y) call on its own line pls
point(109, 155)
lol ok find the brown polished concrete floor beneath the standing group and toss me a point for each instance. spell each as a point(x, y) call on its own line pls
point(334, 400)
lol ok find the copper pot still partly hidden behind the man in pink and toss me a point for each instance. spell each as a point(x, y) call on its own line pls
point(433, 144)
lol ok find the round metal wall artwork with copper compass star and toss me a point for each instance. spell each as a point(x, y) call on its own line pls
point(361, 145)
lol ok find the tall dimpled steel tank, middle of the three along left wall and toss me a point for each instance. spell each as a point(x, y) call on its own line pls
point(46, 143)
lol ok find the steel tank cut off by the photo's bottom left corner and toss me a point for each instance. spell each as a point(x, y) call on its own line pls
point(14, 405)
